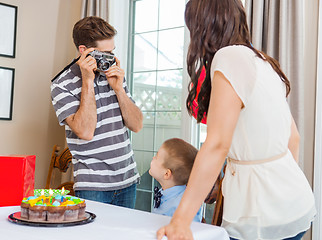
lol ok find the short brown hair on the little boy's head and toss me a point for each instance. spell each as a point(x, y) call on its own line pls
point(180, 157)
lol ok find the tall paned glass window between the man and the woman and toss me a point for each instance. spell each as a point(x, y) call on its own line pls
point(156, 73)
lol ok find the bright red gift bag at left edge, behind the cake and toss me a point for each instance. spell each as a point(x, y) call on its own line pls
point(17, 178)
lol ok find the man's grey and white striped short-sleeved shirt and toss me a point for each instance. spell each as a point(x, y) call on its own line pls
point(106, 162)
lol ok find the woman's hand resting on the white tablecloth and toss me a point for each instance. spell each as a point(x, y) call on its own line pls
point(175, 230)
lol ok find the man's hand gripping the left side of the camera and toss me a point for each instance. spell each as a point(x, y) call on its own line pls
point(87, 65)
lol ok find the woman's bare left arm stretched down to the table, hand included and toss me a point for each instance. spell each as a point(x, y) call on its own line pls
point(223, 114)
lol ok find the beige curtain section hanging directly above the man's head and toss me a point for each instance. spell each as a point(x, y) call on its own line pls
point(98, 8)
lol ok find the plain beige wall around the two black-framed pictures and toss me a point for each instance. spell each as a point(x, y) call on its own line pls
point(44, 46)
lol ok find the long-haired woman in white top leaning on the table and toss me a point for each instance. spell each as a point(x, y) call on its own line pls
point(266, 195)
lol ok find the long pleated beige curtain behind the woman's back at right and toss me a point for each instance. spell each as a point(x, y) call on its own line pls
point(277, 28)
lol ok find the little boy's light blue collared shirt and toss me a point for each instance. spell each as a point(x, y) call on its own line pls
point(170, 200)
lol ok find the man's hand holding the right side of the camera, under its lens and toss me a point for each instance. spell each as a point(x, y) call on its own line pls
point(115, 76)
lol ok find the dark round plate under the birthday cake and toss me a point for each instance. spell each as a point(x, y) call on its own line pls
point(16, 218)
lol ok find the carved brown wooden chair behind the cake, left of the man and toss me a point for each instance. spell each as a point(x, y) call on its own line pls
point(62, 162)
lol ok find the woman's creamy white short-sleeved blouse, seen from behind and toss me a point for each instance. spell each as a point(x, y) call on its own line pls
point(271, 200)
